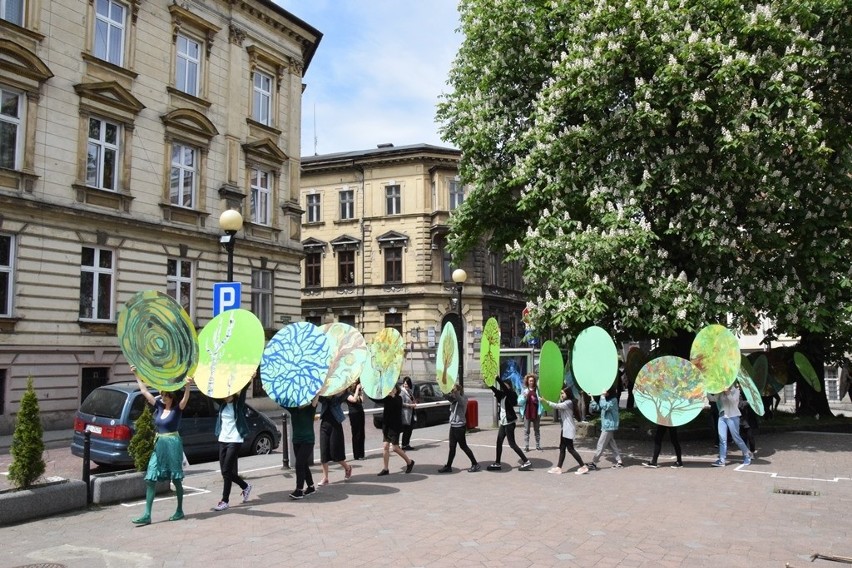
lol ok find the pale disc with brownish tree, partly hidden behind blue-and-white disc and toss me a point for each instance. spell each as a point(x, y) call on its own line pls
point(347, 356)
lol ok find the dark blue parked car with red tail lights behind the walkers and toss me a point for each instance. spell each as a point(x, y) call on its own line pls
point(110, 413)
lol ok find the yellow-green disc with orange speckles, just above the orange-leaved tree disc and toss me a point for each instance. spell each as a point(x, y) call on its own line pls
point(716, 353)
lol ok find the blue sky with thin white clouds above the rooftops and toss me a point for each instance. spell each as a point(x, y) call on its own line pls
point(378, 72)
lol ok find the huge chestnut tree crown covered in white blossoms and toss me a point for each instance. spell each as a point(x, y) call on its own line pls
point(661, 165)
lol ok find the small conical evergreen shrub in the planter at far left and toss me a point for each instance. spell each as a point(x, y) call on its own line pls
point(27, 443)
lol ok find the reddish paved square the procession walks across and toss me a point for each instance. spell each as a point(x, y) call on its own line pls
point(695, 516)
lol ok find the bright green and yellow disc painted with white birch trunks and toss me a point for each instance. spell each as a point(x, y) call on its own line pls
point(230, 347)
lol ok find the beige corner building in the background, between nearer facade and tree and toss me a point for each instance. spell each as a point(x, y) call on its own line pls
point(374, 234)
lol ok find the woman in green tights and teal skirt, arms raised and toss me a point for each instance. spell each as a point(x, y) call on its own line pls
point(167, 459)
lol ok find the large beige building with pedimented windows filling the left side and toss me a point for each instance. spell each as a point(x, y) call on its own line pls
point(126, 128)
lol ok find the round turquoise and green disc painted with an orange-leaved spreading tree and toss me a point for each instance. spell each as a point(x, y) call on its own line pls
point(669, 391)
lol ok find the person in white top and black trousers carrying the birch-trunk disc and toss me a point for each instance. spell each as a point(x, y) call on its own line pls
point(231, 429)
